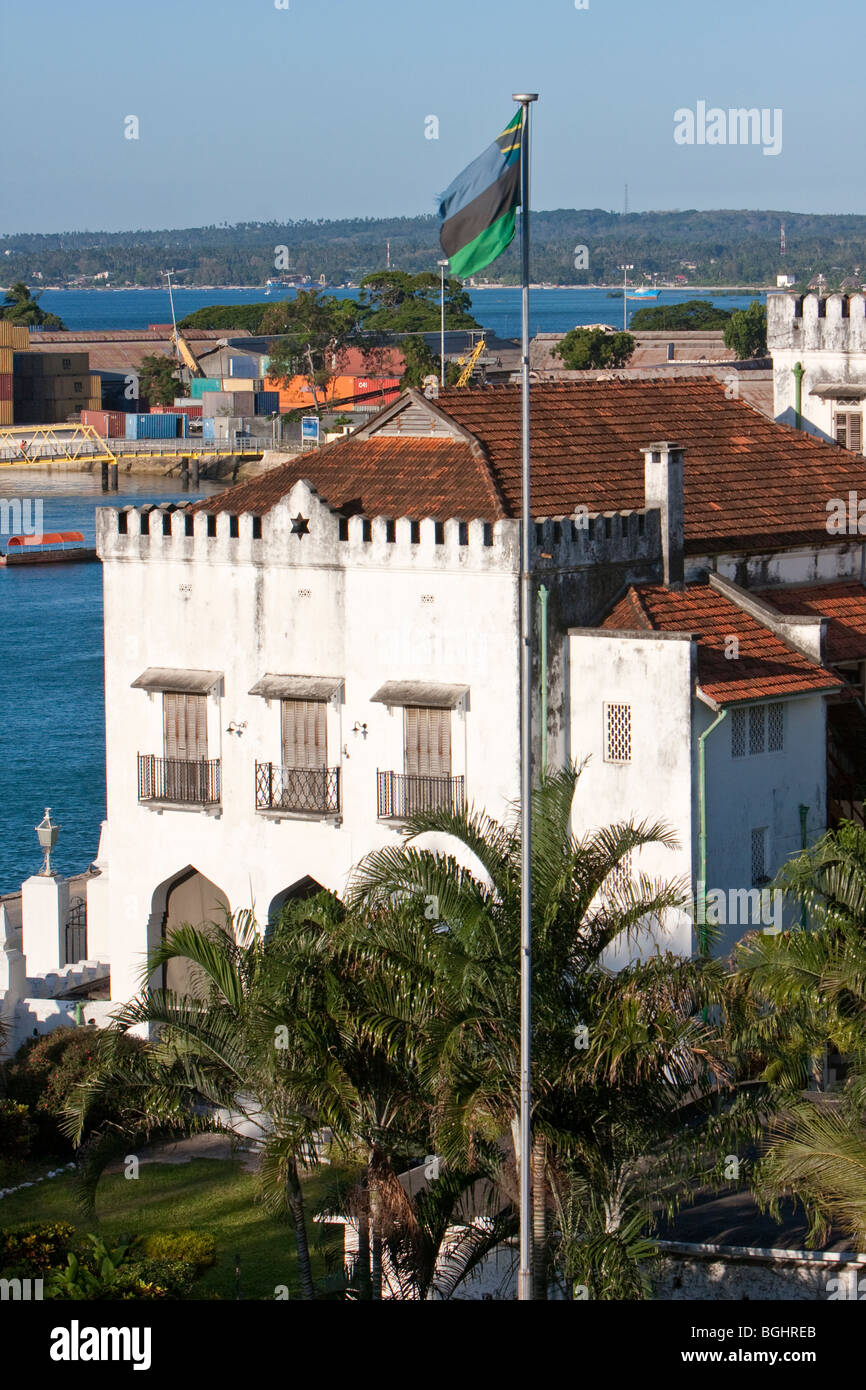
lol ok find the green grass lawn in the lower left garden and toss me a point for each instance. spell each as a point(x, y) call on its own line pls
point(208, 1195)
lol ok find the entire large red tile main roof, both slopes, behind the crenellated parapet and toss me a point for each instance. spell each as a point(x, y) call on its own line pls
point(750, 484)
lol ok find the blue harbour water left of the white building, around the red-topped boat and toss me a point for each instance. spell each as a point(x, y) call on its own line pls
point(52, 715)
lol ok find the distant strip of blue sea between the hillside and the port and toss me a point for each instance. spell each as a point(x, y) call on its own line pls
point(498, 311)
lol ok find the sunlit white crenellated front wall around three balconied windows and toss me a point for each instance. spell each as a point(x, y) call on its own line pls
point(363, 612)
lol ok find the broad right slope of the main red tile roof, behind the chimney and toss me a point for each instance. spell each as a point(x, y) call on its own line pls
point(750, 483)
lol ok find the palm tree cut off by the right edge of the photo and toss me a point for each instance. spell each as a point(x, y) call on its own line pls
point(801, 992)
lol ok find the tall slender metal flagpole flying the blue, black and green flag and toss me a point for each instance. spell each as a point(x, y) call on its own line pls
point(525, 1274)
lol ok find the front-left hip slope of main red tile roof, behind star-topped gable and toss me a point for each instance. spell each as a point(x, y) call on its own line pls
point(389, 477)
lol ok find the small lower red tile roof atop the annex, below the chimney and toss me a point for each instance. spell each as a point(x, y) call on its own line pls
point(765, 667)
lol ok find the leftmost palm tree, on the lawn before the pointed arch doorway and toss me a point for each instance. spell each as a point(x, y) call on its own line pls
point(215, 1060)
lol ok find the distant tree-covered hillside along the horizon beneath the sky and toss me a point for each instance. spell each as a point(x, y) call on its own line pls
point(718, 248)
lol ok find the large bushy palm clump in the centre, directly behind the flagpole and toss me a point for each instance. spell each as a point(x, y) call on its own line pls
point(616, 1056)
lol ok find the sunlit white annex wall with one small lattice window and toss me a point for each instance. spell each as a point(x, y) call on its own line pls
point(654, 676)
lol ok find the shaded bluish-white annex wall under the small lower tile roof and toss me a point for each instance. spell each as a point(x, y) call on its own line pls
point(757, 792)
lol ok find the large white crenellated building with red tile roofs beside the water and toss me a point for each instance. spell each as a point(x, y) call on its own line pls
point(295, 664)
